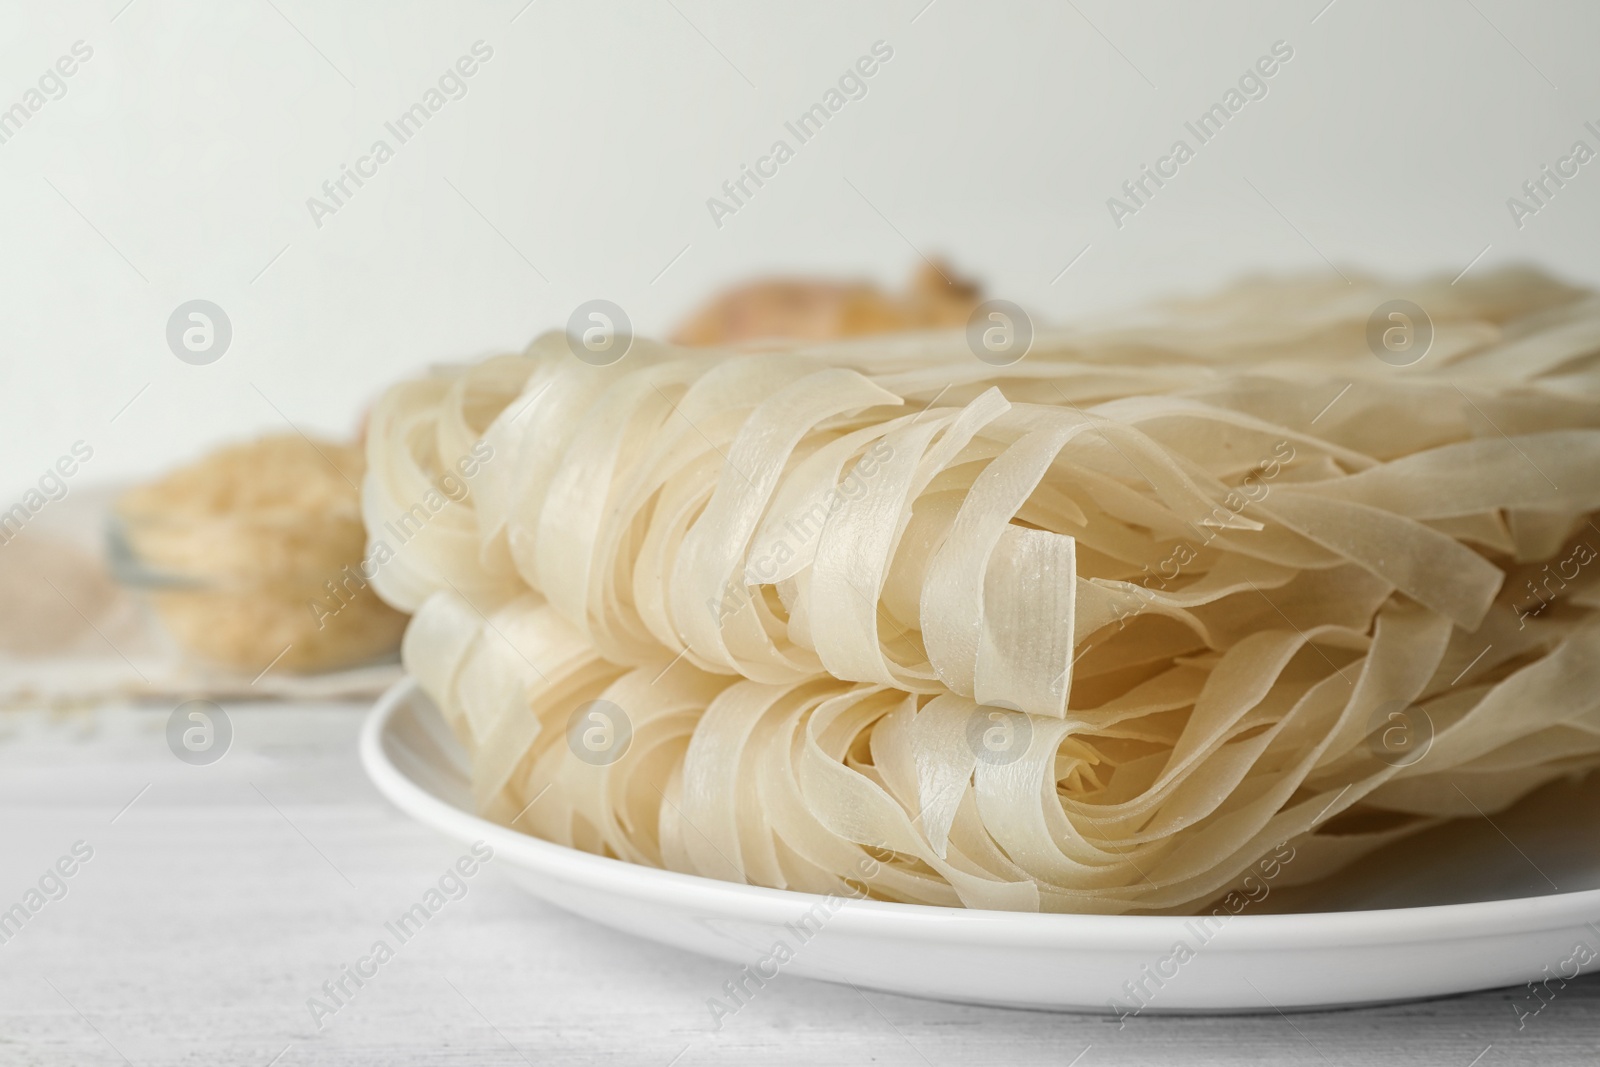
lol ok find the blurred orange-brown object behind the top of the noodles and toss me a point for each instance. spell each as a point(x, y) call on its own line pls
point(820, 311)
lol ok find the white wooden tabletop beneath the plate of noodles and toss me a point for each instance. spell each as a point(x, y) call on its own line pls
point(223, 897)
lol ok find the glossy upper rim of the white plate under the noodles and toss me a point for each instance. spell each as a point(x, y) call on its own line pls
point(986, 927)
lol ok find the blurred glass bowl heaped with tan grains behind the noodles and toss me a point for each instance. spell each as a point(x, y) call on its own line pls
point(241, 548)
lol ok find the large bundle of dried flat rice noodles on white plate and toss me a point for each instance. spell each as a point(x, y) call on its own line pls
point(1092, 633)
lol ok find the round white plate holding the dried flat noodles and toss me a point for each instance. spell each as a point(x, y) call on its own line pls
point(1505, 927)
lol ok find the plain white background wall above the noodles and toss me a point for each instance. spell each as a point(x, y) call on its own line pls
point(182, 158)
